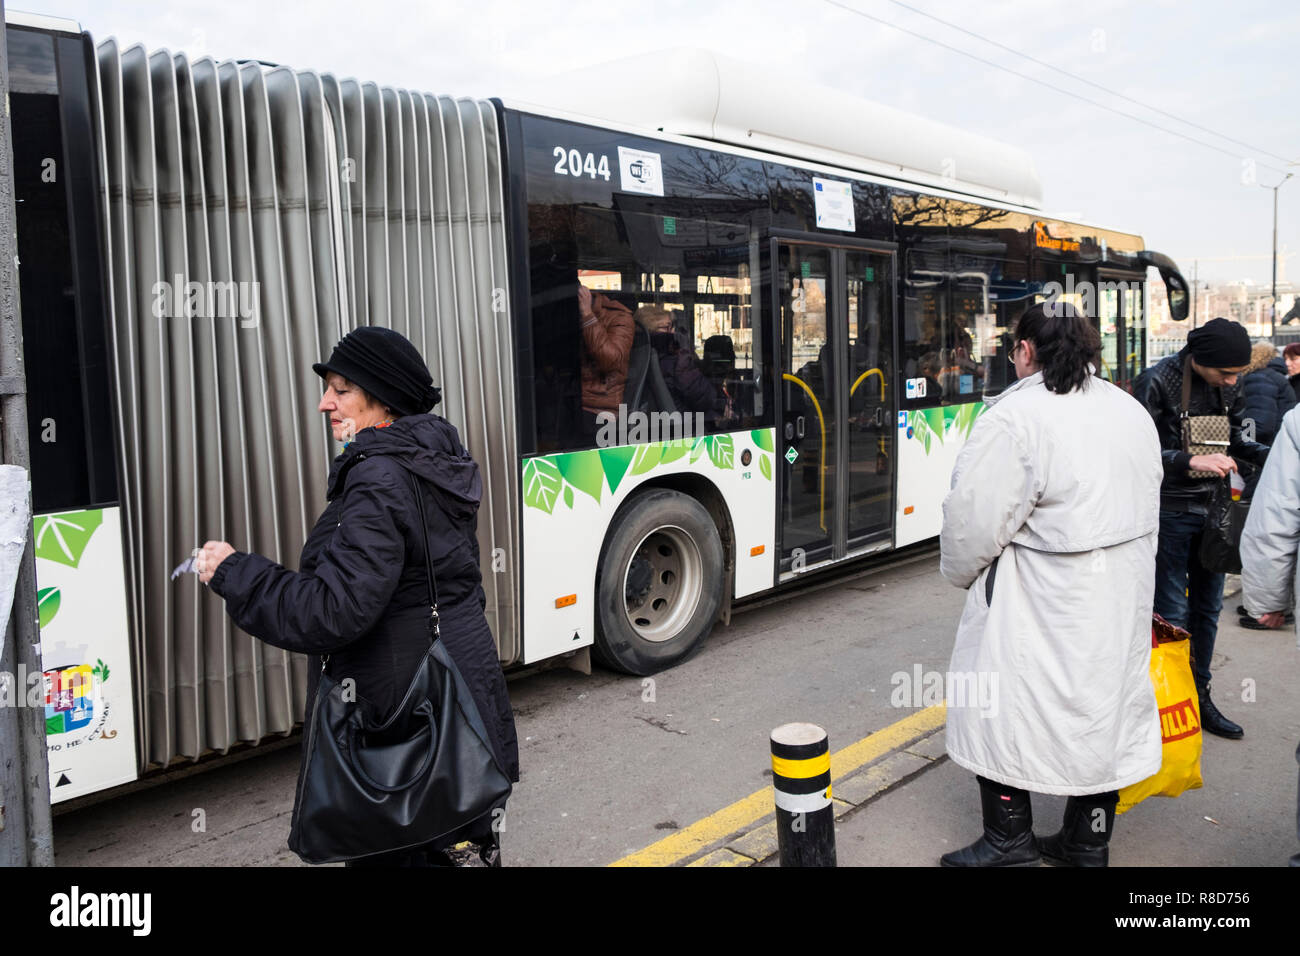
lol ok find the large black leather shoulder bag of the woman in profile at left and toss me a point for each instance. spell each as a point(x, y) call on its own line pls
point(372, 788)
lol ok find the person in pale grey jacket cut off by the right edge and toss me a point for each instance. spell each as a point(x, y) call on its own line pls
point(1271, 542)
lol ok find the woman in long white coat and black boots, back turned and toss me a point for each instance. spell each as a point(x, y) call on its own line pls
point(1052, 525)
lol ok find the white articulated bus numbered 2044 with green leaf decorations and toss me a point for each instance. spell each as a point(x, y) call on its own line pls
point(837, 285)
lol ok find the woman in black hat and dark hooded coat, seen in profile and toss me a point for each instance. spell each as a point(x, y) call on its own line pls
point(361, 595)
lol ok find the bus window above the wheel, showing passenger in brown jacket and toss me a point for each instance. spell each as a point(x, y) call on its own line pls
point(671, 325)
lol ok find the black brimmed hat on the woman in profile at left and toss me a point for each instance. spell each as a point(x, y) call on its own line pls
point(385, 365)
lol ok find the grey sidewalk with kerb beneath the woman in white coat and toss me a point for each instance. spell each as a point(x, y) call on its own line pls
point(913, 804)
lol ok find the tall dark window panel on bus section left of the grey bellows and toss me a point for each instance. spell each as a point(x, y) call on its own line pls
point(66, 335)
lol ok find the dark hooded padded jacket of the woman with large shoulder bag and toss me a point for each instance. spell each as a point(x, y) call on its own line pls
point(362, 595)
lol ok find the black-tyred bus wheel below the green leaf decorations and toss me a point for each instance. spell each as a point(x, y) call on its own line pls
point(660, 583)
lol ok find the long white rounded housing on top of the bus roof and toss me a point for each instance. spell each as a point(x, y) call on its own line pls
point(707, 96)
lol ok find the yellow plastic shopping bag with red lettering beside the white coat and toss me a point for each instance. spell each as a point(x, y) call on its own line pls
point(1180, 717)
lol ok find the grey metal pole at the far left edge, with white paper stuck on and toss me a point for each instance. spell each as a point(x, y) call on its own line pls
point(27, 838)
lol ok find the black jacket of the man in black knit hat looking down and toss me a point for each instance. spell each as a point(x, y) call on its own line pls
point(1160, 390)
